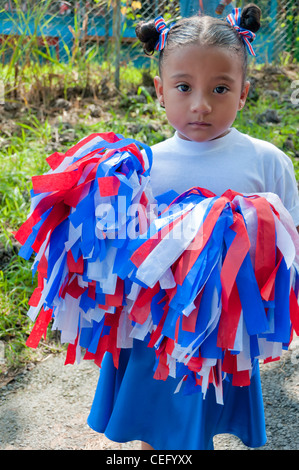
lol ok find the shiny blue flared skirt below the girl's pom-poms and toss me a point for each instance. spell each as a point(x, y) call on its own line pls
point(129, 404)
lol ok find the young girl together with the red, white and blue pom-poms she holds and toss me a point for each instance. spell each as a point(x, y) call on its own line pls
point(185, 297)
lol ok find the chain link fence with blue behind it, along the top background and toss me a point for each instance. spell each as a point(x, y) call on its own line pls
point(105, 28)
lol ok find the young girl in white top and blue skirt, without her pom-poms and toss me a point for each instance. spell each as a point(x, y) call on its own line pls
point(202, 85)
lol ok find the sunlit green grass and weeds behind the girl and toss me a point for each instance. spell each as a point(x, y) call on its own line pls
point(133, 111)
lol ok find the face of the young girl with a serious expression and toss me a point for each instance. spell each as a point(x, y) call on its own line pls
point(202, 89)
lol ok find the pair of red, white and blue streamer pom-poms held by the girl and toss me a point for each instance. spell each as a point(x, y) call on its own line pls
point(210, 283)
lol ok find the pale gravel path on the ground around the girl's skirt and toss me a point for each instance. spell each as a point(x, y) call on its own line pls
point(46, 408)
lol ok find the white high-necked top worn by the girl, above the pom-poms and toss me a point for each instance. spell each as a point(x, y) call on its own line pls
point(235, 161)
